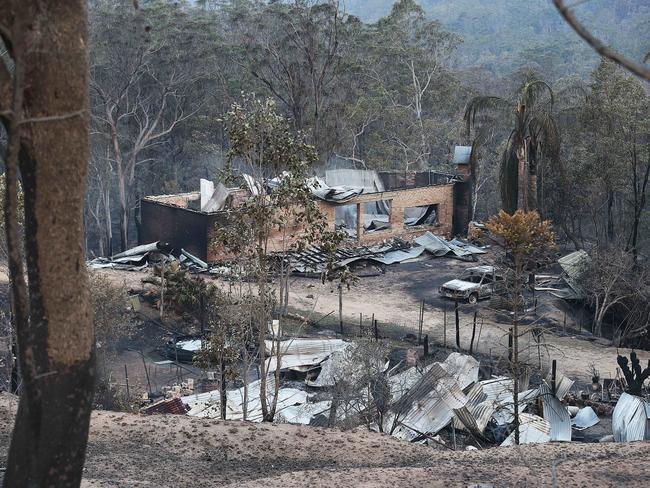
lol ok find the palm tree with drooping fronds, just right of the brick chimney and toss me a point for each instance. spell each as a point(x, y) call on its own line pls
point(533, 136)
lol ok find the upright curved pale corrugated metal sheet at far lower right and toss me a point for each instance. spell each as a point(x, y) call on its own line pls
point(631, 419)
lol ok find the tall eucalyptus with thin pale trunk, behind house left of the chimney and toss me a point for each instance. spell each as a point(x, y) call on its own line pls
point(408, 86)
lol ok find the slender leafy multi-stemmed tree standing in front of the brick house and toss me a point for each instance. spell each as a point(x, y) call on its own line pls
point(279, 217)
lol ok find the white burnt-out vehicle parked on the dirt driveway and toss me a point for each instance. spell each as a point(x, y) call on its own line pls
point(474, 284)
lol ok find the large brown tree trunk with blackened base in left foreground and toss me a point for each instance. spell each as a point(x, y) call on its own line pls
point(48, 131)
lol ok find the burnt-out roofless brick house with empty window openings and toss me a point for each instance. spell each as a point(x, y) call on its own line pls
point(370, 206)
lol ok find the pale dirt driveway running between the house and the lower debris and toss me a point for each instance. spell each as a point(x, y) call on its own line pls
point(394, 297)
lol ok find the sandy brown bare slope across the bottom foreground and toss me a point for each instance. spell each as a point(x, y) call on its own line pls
point(127, 450)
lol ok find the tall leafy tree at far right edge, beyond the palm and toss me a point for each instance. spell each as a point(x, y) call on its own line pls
point(615, 128)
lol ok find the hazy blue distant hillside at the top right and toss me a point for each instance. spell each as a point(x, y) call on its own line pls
point(504, 35)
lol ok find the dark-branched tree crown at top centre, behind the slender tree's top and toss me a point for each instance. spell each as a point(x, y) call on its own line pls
point(295, 52)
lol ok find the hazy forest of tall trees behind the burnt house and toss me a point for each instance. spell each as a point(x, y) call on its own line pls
point(374, 92)
